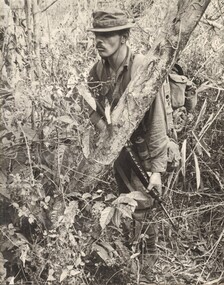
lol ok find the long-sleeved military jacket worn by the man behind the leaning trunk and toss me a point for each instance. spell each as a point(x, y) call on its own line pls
point(109, 88)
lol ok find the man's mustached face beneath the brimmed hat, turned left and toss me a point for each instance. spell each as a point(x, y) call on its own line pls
point(107, 43)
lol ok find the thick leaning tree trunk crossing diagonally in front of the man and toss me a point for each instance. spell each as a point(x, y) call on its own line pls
point(181, 20)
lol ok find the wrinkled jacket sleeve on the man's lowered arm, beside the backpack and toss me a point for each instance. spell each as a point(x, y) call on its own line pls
point(156, 135)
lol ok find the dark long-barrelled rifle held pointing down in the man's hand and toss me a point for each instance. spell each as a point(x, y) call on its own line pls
point(144, 178)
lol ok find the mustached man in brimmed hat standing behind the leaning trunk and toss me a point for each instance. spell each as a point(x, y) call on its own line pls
point(108, 79)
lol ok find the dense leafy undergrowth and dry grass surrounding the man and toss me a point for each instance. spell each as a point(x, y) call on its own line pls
point(51, 232)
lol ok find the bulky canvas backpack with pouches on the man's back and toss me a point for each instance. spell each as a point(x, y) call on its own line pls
point(180, 99)
